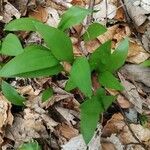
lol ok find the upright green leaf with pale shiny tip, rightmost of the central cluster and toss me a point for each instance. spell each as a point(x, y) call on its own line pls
point(119, 56)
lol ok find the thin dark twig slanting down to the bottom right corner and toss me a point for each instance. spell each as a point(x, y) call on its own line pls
point(133, 134)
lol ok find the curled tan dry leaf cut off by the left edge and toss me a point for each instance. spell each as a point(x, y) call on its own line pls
point(6, 118)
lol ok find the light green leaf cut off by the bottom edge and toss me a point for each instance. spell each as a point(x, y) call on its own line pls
point(32, 145)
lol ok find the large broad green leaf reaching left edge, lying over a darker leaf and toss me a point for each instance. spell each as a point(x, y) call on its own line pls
point(29, 61)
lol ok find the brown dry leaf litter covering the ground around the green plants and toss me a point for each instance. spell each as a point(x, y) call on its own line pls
point(54, 124)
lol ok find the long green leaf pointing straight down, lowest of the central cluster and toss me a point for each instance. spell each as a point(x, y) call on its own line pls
point(90, 115)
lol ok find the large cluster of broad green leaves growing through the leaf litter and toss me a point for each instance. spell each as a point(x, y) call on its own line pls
point(38, 60)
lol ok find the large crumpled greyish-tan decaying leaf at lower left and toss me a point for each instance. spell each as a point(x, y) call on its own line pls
point(31, 125)
